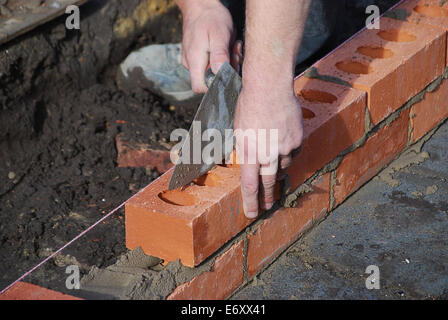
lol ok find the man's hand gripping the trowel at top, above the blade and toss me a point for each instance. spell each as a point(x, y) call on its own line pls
point(208, 37)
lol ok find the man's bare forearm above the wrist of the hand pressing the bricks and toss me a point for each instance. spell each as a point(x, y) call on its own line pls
point(274, 30)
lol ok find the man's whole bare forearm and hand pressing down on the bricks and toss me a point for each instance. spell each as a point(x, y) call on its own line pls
point(274, 30)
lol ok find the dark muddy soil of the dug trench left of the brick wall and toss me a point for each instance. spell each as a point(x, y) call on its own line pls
point(60, 112)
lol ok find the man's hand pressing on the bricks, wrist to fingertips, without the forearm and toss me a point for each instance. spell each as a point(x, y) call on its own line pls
point(255, 112)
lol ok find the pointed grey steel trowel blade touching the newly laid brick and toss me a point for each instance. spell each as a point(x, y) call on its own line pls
point(213, 120)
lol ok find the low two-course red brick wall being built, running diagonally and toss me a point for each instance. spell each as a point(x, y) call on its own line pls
point(363, 105)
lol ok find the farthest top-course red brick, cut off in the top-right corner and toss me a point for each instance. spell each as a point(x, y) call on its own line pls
point(426, 12)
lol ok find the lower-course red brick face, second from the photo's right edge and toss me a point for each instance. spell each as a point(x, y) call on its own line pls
point(362, 164)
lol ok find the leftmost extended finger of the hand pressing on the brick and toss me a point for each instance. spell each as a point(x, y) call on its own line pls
point(249, 189)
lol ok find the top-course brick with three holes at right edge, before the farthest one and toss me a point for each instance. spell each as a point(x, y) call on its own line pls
point(392, 64)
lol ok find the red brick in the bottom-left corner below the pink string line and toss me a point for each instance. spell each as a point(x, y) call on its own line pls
point(28, 291)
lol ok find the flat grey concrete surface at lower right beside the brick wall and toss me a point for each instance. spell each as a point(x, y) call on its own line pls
point(398, 221)
